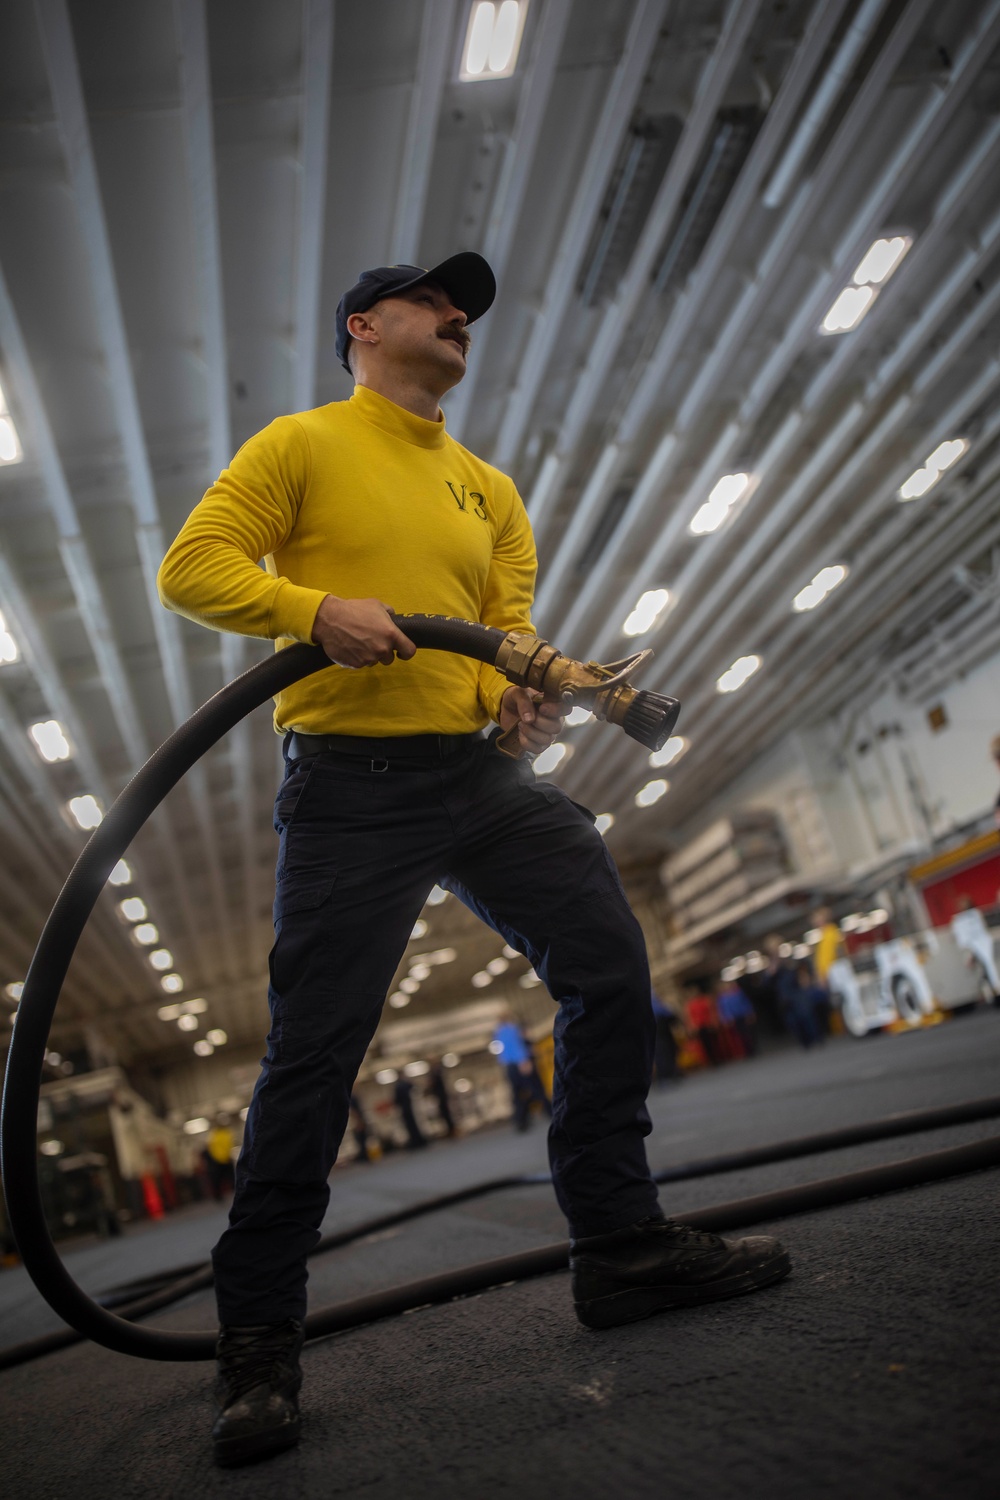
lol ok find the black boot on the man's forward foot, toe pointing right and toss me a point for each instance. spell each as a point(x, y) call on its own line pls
point(659, 1265)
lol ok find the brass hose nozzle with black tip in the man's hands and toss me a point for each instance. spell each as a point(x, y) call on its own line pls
point(606, 691)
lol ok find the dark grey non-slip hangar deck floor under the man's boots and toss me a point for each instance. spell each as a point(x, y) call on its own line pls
point(873, 1373)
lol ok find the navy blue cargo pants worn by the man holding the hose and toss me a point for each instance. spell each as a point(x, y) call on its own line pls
point(364, 839)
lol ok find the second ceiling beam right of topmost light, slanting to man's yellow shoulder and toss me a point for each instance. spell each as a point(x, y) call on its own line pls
point(612, 124)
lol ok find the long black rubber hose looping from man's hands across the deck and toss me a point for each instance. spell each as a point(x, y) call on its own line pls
point(49, 970)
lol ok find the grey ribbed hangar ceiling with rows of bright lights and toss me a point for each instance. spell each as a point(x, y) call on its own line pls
point(674, 194)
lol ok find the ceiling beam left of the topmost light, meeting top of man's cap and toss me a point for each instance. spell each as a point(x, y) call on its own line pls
point(422, 128)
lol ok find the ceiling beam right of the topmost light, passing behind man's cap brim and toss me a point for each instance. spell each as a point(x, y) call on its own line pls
point(509, 199)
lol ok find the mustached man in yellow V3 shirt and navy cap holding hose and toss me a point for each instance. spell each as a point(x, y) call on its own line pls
point(392, 785)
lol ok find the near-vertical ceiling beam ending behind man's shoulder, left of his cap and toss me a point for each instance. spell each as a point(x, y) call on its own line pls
point(317, 68)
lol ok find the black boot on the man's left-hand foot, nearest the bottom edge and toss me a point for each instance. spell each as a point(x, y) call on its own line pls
point(257, 1391)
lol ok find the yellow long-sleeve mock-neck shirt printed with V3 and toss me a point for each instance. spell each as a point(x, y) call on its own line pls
point(361, 499)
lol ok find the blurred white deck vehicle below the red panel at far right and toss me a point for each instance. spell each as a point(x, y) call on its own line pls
point(906, 980)
